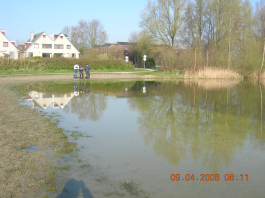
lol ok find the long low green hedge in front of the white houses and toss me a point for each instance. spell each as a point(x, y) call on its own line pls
point(61, 63)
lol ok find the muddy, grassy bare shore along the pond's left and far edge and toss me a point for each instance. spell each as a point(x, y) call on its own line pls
point(23, 173)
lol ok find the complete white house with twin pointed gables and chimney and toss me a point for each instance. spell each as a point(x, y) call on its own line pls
point(45, 45)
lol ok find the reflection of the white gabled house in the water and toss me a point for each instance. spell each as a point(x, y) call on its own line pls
point(44, 100)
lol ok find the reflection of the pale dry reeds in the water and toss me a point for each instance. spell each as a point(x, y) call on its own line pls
point(212, 84)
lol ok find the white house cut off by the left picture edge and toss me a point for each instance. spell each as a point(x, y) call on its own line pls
point(7, 48)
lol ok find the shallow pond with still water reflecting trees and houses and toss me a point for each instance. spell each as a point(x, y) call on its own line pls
point(182, 138)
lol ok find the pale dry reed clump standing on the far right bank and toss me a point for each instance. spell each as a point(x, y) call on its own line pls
point(211, 72)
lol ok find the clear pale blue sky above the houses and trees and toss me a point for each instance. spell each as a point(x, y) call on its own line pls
point(119, 17)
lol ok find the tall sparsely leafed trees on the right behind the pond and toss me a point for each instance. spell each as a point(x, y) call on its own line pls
point(194, 34)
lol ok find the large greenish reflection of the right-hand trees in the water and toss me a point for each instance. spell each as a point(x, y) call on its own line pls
point(179, 119)
